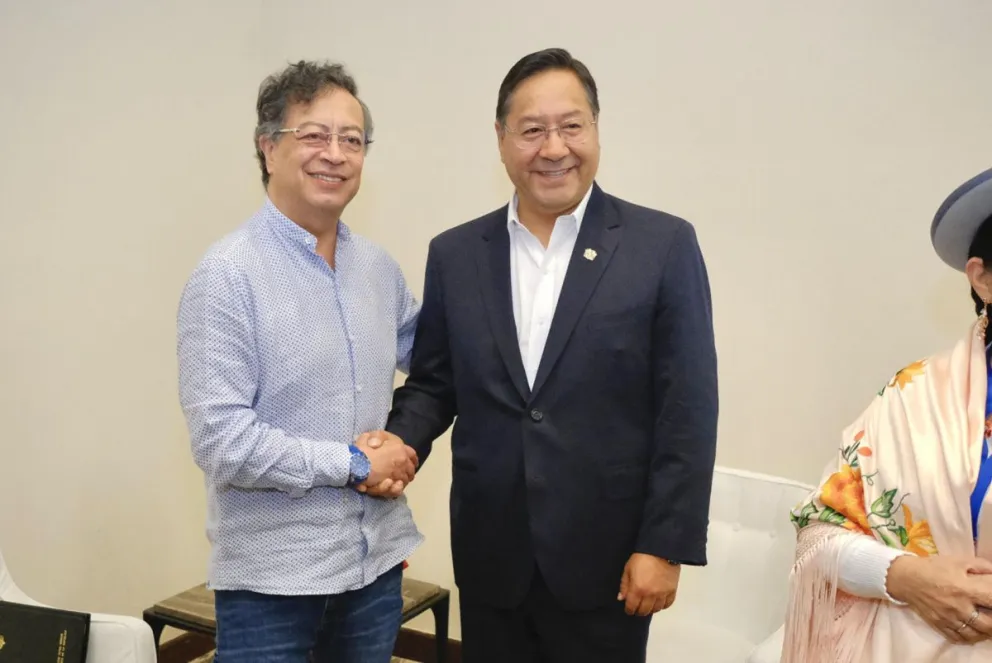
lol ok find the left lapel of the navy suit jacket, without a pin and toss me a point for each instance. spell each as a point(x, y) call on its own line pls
point(494, 277)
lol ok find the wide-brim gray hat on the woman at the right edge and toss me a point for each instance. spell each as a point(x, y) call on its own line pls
point(960, 217)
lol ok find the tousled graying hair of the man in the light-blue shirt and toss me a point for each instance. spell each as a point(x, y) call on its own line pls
point(298, 83)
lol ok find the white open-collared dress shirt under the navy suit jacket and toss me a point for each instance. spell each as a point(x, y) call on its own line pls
point(536, 275)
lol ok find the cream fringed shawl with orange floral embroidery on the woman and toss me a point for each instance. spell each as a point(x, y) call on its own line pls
point(904, 474)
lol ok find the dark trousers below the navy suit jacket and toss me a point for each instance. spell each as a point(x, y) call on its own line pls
point(541, 631)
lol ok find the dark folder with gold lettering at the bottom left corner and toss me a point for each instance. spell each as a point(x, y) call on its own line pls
point(34, 634)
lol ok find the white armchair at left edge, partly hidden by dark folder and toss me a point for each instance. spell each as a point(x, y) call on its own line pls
point(113, 638)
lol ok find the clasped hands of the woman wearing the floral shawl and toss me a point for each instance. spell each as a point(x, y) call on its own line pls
point(947, 593)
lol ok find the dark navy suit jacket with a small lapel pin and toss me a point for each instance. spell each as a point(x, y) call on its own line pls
point(612, 451)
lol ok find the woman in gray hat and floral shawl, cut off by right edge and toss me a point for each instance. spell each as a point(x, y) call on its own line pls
point(894, 555)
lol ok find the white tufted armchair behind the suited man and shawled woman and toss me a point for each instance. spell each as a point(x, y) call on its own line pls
point(732, 610)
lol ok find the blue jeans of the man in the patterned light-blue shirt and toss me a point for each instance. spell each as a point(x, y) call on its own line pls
point(356, 627)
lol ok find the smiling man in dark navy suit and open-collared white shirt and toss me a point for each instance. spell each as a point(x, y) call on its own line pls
point(569, 337)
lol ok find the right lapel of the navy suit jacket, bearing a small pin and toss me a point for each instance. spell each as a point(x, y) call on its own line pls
point(599, 232)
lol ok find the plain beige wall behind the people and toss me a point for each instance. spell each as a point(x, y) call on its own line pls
point(809, 143)
